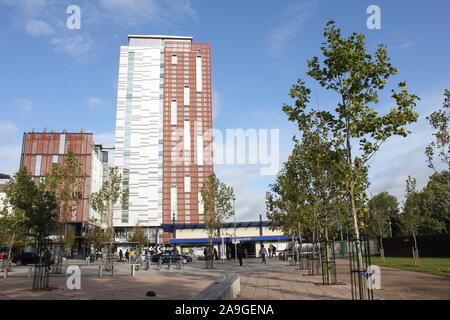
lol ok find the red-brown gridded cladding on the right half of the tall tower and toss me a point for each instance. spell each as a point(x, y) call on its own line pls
point(199, 114)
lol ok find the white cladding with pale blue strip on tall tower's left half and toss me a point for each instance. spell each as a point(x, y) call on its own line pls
point(139, 125)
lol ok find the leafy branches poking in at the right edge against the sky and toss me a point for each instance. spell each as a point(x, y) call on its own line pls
point(439, 121)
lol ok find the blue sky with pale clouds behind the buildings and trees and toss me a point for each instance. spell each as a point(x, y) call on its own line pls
point(66, 79)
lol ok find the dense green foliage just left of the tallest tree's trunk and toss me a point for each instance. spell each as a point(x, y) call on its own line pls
point(306, 196)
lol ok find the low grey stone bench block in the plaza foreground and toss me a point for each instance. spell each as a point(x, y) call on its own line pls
point(226, 288)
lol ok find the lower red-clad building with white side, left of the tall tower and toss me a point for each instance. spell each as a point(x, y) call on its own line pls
point(42, 150)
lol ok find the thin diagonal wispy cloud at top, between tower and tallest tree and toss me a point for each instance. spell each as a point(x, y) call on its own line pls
point(296, 16)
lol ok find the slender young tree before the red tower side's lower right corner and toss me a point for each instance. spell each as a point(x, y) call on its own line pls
point(217, 201)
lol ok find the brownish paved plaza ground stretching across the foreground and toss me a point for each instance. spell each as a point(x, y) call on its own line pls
point(275, 280)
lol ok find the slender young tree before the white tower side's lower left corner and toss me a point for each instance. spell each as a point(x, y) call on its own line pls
point(106, 198)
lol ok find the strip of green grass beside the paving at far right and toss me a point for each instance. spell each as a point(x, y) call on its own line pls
point(437, 266)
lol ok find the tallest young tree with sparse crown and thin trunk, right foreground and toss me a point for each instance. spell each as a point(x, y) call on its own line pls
point(356, 128)
